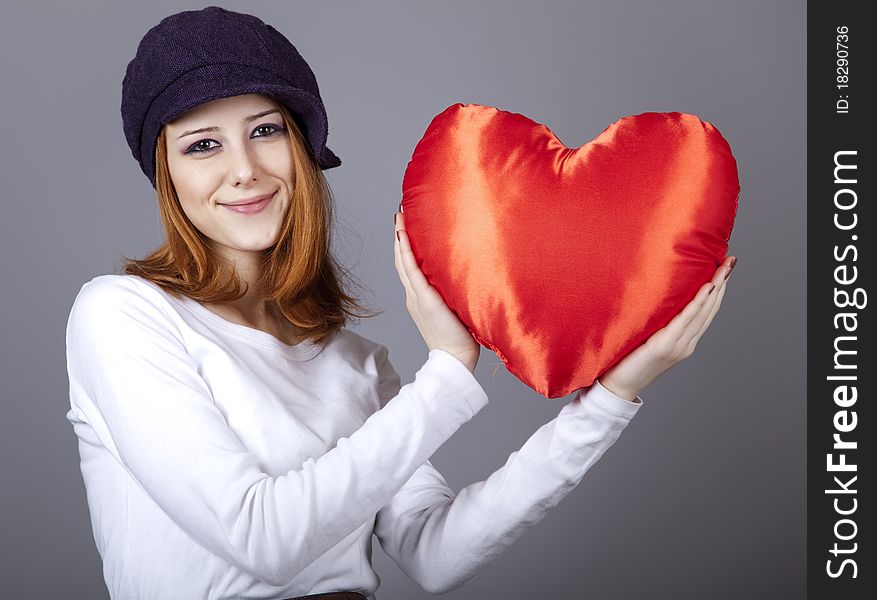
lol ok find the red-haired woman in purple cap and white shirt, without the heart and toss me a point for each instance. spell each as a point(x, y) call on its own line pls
point(236, 440)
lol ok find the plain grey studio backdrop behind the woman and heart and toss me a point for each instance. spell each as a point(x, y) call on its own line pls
point(703, 495)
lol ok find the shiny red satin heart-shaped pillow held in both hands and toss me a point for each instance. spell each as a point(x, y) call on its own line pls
point(562, 260)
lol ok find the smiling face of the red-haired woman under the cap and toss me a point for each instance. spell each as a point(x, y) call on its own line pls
point(225, 152)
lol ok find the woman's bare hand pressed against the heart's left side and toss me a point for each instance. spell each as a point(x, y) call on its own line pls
point(440, 327)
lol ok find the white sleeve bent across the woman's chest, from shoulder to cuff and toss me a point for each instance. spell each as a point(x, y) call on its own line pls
point(133, 381)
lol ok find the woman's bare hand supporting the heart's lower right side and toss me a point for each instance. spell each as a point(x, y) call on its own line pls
point(670, 345)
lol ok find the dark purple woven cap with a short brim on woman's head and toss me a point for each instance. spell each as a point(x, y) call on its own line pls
point(196, 56)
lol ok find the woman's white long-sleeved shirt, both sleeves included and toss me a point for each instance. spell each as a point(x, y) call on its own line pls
point(220, 462)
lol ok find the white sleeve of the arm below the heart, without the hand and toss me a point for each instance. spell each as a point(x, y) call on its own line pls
point(441, 539)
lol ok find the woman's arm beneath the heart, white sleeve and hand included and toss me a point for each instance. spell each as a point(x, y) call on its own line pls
point(441, 541)
